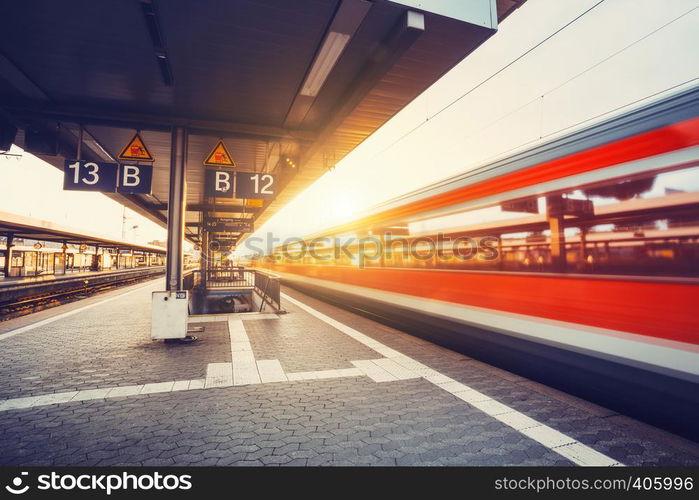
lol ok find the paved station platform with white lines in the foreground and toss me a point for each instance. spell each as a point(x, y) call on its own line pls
point(83, 384)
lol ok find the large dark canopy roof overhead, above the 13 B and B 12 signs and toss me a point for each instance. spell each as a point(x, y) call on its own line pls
point(303, 80)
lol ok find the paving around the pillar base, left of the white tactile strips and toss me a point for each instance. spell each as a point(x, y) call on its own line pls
point(106, 346)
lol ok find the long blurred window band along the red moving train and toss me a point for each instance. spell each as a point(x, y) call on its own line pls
point(645, 224)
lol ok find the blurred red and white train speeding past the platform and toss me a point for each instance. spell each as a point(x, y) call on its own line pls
point(575, 262)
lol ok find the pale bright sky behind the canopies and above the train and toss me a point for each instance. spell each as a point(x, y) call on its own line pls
point(617, 56)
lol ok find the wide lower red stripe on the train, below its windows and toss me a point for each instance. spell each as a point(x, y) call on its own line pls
point(662, 310)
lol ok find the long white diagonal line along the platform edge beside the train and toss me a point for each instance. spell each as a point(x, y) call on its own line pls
point(547, 436)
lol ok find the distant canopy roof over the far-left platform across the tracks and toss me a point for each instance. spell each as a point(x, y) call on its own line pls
point(36, 229)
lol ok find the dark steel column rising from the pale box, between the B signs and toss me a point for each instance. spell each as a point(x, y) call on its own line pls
point(176, 209)
